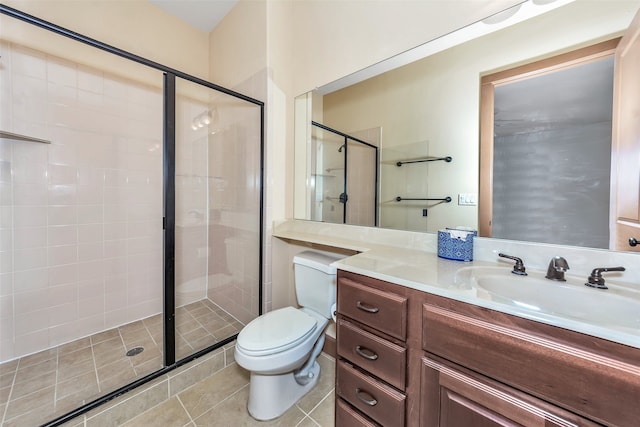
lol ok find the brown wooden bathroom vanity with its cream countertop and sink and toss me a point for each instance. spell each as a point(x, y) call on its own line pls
point(424, 341)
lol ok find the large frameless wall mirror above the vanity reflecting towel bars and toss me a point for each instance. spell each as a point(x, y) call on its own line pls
point(424, 117)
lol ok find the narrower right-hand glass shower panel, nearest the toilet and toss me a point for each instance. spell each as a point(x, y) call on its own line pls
point(217, 216)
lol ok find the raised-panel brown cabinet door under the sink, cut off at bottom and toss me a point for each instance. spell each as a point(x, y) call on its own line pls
point(452, 398)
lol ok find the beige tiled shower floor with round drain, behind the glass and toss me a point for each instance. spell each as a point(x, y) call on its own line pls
point(42, 386)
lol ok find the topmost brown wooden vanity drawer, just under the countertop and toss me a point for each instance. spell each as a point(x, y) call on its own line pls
point(384, 311)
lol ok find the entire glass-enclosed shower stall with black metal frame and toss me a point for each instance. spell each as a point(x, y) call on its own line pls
point(130, 219)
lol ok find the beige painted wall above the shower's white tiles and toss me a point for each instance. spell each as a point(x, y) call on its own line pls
point(134, 26)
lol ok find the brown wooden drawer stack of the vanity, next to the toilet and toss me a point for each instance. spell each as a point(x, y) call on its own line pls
point(373, 372)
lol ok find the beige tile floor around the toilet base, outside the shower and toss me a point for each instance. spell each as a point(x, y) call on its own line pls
point(221, 399)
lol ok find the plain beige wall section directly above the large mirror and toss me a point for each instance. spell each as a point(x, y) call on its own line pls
point(334, 39)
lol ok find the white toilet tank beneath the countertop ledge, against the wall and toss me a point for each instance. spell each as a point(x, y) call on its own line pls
point(315, 280)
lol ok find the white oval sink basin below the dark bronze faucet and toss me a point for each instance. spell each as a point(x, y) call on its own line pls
point(570, 299)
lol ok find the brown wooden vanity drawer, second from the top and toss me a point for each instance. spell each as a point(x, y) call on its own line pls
point(382, 358)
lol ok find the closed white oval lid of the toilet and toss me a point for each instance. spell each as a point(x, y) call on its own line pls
point(277, 330)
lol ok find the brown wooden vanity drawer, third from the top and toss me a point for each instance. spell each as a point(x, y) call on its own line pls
point(375, 399)
